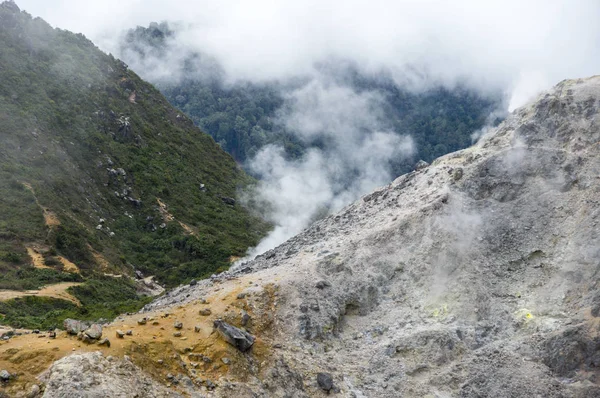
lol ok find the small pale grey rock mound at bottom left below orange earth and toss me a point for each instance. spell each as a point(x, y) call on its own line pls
point(92, 375)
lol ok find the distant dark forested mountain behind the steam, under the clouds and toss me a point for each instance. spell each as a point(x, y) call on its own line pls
point(245, 116)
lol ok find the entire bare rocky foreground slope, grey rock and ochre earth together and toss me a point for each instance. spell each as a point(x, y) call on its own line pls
point(475, 276)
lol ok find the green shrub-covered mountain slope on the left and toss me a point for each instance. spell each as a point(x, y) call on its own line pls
point(100, 175)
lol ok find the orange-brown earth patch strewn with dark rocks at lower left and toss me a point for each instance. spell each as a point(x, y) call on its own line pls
point(153, 346)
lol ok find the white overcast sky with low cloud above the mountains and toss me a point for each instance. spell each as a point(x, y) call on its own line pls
point(518, 45)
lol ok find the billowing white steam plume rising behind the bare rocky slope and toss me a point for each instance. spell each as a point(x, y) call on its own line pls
point(325, 181)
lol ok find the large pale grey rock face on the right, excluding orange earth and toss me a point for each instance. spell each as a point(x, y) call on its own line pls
point(474, 277)
